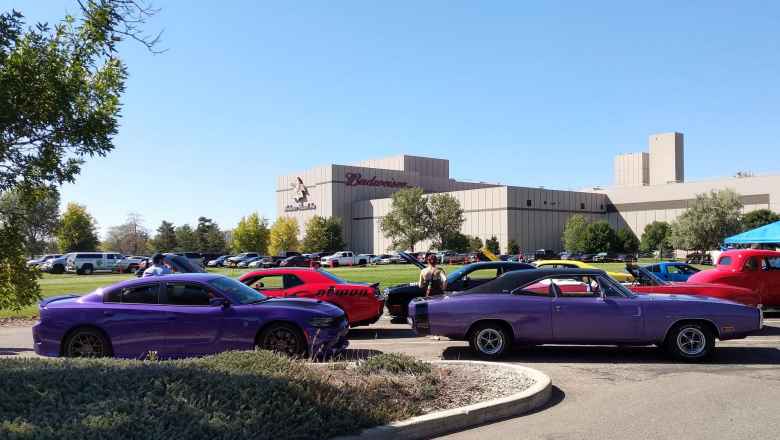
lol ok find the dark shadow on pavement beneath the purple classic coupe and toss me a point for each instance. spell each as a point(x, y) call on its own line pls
point(623, 355)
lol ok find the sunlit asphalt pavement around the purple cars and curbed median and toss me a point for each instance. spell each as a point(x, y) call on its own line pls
point(604, 392)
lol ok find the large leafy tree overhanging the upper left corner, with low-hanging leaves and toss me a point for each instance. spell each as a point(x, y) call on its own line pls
point(60, 90)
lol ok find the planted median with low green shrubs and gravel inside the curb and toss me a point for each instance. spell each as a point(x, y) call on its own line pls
point(232, 395)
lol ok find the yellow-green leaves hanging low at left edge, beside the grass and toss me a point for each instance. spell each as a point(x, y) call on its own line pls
point(18, 283)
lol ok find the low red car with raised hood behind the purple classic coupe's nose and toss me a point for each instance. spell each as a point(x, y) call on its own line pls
point(647, 282)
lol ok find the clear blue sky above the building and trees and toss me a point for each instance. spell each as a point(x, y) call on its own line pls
point(541, 94)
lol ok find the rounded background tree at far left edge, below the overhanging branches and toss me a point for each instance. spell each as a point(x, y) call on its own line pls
point(36, 211)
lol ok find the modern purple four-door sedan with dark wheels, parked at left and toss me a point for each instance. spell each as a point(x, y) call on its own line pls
point(185, 315)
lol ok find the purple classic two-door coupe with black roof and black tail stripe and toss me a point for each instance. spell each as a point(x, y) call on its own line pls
point(580, 306)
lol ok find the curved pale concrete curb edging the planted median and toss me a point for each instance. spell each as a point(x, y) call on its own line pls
point(457, 419)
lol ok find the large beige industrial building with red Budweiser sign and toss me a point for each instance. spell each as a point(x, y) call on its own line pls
point(648, 186)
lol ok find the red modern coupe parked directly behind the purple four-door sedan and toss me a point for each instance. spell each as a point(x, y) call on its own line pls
point(361, 302)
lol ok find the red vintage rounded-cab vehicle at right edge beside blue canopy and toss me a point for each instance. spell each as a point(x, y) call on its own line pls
point(754, 269)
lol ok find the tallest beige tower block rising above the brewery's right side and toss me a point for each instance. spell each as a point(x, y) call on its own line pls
point(667, 161)
